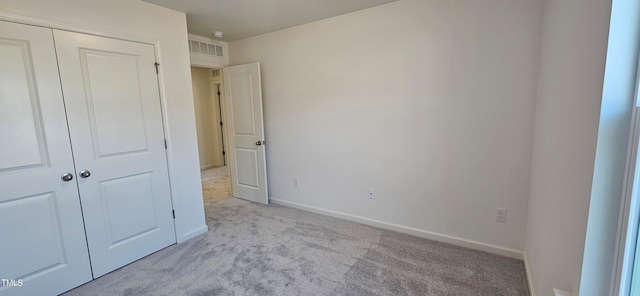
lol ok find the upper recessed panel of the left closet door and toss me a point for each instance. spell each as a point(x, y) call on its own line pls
point(22, 144)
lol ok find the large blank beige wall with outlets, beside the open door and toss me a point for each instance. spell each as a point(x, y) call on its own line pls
point(429, 102)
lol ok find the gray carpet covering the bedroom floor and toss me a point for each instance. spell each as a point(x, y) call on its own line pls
point(253, 249)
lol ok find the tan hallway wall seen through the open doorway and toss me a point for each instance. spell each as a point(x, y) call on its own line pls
point(207, 118)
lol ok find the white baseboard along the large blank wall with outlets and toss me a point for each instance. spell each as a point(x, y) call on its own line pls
point(458, 241)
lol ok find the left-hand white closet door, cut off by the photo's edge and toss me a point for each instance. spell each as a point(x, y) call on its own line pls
point(42, 241)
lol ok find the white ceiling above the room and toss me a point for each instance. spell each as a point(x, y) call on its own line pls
point(240, 19)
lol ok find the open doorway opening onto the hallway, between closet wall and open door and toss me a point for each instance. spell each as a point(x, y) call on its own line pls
point(208, 106)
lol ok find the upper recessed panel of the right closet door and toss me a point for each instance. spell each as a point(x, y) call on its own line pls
point(114, 99)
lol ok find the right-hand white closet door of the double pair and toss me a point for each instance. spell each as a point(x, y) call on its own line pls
point(115, 122)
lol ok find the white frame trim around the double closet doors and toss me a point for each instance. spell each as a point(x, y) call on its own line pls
point(126, 37)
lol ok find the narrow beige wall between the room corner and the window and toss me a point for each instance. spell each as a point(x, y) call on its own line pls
point(574, 46)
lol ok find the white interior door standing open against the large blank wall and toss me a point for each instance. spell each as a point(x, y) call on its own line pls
point(243, 107)
